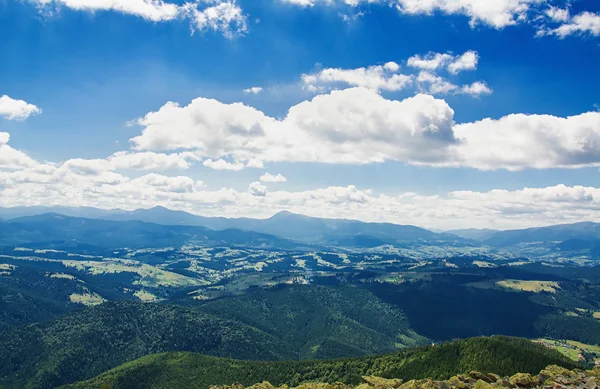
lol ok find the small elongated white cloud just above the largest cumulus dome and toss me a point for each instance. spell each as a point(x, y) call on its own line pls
point(373, 77)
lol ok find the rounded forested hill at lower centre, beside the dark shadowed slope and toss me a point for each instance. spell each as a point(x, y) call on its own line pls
point(321, 322)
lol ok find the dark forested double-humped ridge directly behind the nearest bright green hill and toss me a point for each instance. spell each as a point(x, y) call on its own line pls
point(298, 322)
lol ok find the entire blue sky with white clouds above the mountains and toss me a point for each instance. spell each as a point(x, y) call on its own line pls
point(439, 113)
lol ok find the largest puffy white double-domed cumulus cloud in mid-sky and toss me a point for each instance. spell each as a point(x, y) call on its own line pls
point(355, 125)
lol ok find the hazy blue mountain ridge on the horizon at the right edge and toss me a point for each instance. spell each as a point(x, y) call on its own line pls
point(559, 233)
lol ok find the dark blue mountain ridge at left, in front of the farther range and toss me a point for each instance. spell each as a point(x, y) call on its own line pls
point(51, 230)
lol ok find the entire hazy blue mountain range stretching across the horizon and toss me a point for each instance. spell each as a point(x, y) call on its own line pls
point(282, 230)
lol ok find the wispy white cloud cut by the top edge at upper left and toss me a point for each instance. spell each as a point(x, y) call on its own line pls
point(223, 16)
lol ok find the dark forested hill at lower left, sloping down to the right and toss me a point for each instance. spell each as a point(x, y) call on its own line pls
point(85, 343)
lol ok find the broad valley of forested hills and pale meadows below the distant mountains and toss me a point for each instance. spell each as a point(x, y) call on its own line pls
point(73, 308)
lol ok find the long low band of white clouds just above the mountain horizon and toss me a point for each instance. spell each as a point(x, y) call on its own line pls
point(45, 184)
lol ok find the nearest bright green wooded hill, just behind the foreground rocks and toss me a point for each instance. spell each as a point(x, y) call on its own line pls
point(505, 356)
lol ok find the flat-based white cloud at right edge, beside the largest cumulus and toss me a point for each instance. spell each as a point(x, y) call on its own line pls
point(522, 141)
